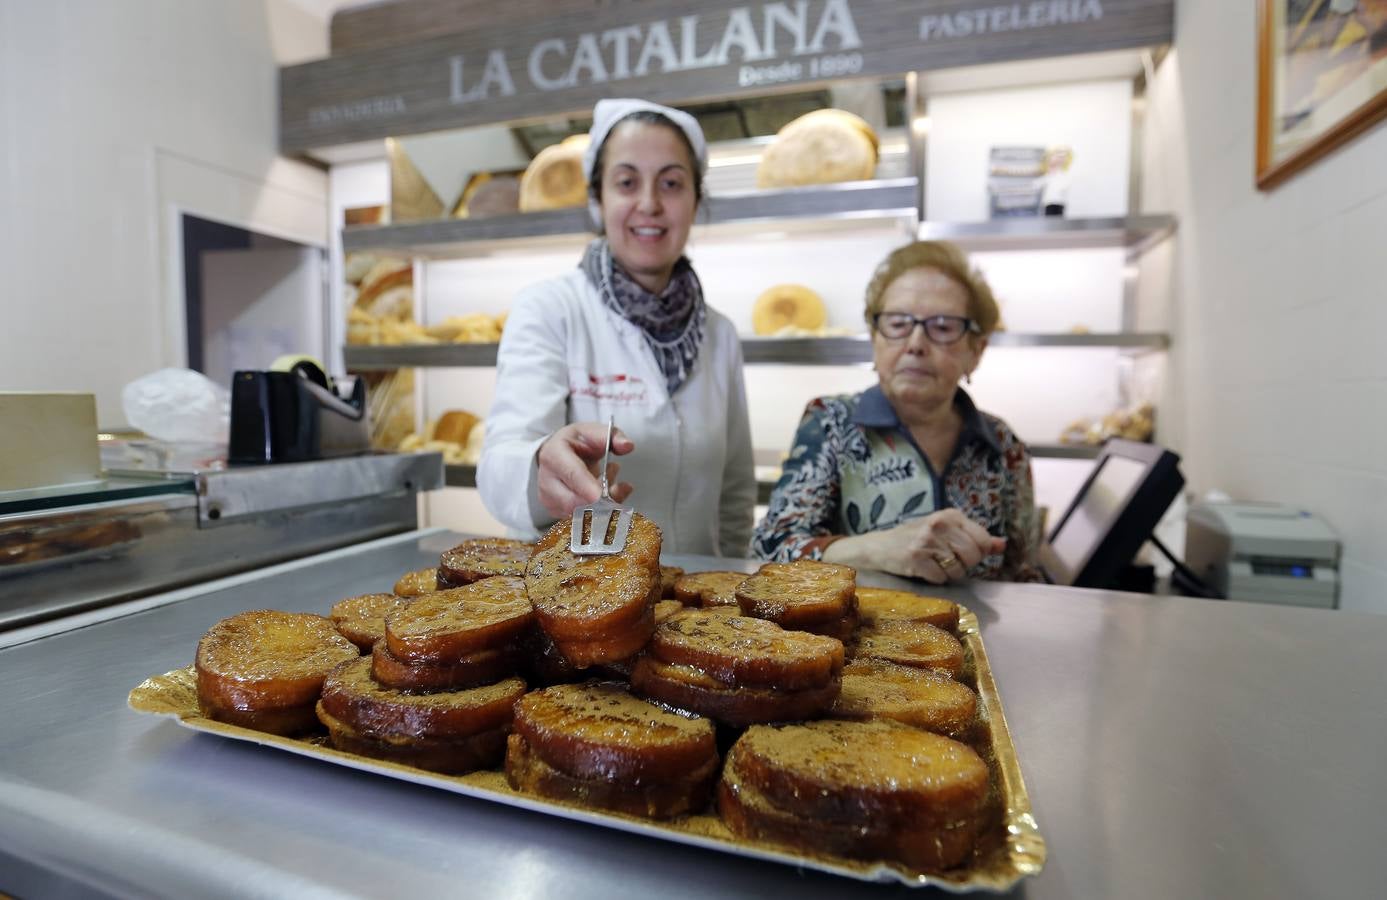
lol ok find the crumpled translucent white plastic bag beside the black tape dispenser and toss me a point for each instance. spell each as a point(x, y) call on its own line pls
point(178, 406)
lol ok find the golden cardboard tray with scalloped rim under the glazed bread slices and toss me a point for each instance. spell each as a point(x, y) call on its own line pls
point(1012, 847)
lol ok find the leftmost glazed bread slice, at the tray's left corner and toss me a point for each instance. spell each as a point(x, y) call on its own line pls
point(264, 669)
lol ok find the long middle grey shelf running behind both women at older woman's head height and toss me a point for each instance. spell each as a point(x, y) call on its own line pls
point(787, 352)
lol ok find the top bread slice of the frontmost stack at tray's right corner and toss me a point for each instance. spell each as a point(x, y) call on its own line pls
point(876, 773)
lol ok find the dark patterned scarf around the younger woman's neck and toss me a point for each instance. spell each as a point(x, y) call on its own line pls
point(672, 321)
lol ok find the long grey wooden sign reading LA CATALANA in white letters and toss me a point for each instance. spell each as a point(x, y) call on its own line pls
point(725, 49)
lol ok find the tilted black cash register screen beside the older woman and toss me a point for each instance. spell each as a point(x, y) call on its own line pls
point(1128, 492)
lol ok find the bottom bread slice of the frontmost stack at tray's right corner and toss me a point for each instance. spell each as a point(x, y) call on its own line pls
point(927, 848)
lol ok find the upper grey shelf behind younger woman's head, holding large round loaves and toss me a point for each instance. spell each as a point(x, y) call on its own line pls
point(446, 239)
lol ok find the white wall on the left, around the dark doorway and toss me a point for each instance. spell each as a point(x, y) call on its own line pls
point(116, 119)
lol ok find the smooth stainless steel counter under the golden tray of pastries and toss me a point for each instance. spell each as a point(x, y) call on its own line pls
point(1173, 748)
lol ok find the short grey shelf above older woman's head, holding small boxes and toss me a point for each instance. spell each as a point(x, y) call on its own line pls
point(1135, 234)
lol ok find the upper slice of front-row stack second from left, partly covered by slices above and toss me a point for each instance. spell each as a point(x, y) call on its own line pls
point(353, 697)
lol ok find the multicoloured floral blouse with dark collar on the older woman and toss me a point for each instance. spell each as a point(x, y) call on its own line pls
point(855, 469)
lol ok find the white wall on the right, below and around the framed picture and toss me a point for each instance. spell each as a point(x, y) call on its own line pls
point(1280, 377)
